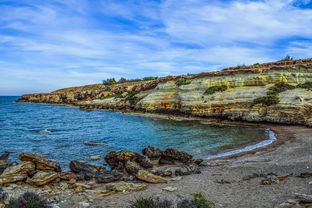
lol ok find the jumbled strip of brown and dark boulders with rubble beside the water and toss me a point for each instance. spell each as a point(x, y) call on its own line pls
point(128, 171)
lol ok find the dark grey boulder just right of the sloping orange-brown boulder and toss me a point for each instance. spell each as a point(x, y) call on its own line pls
point(77, 166)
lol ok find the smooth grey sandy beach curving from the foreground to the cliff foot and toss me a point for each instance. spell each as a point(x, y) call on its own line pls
point(289, 156)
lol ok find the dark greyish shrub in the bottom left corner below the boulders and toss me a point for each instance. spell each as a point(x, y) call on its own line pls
point(29, 200)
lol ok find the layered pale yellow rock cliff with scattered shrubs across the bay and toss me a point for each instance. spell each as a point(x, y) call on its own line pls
point(278, 92)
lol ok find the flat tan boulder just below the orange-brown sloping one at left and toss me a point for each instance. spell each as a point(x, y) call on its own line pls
point(43, 177)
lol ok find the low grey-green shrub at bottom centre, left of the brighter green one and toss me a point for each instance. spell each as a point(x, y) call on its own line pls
point(151, 203)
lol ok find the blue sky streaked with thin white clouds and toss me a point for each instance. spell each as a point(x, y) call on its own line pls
point(52, 44)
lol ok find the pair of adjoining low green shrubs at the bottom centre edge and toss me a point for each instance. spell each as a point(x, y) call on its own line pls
point(198, 201)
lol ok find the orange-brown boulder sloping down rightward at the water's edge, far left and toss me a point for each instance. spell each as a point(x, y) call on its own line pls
point(40, 162)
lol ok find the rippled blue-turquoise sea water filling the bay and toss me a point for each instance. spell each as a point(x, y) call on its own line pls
point(59, 132)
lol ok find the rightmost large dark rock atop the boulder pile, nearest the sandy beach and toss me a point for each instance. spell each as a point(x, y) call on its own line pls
point(173, 155)
